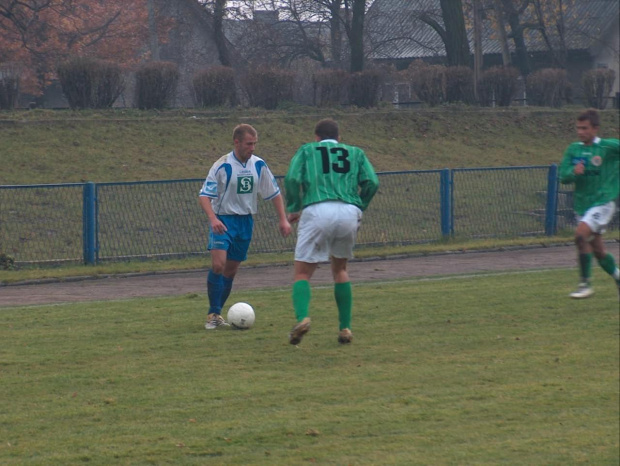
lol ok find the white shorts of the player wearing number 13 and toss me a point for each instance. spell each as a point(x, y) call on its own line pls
point(327, 229)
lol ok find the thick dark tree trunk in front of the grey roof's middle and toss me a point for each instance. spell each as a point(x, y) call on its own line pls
point(457, 45)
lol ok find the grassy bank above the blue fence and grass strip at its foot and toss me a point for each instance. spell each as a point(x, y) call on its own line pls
point(128, 145)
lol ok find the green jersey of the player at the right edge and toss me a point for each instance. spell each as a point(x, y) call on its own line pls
point(600, 182)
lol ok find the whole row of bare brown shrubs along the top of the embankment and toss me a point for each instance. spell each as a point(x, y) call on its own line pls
point(92, 83)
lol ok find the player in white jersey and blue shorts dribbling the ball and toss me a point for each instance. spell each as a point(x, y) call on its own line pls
point(229, 197)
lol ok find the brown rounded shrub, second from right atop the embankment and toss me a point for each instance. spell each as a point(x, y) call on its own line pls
point(548, 87)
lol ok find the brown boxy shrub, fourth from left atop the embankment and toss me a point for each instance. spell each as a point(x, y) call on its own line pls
point(214, 87)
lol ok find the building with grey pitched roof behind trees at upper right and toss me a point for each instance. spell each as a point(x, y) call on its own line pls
point(398, 35)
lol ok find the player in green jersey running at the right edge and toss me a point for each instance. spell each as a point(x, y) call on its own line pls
point(593, 166)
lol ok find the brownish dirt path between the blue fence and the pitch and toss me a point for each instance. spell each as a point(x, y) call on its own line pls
point(166, 284)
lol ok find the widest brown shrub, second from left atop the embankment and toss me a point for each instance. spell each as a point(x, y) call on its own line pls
point(90, 83)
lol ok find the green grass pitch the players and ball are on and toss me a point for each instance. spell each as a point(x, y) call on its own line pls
point(484, 369)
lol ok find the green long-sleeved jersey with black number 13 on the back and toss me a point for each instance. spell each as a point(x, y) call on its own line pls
point(329, 171)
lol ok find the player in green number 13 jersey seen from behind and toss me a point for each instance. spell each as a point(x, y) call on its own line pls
point(328, 185)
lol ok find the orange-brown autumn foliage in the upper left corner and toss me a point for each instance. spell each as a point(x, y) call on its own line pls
point(36, 35)
